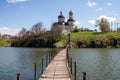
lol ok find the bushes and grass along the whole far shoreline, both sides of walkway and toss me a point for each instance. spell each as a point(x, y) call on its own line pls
point(84, 39)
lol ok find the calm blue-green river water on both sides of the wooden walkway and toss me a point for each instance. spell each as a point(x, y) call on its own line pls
point(99, 64)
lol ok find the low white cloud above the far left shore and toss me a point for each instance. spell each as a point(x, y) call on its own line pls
point(6, 30)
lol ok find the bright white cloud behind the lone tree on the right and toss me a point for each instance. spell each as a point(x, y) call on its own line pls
point(94, 22)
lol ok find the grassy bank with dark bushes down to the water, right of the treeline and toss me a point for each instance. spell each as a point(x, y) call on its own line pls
point(93, 39)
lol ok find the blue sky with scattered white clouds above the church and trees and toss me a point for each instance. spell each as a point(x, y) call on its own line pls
point(18, 14)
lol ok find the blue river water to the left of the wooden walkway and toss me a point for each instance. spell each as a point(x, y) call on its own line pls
point(20, 60)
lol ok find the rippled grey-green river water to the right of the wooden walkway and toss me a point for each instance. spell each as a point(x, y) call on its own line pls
point(99, 64)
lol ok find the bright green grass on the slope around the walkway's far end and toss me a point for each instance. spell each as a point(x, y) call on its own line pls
point(87, 37)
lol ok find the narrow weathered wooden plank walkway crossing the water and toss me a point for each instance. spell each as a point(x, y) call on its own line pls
point(57, 69)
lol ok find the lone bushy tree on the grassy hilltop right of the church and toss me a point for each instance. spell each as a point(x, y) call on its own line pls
point(104, 25)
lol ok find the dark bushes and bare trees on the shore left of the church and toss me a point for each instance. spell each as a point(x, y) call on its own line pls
point(37, 36)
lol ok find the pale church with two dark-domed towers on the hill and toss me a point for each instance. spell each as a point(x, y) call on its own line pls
point(69, 25)
